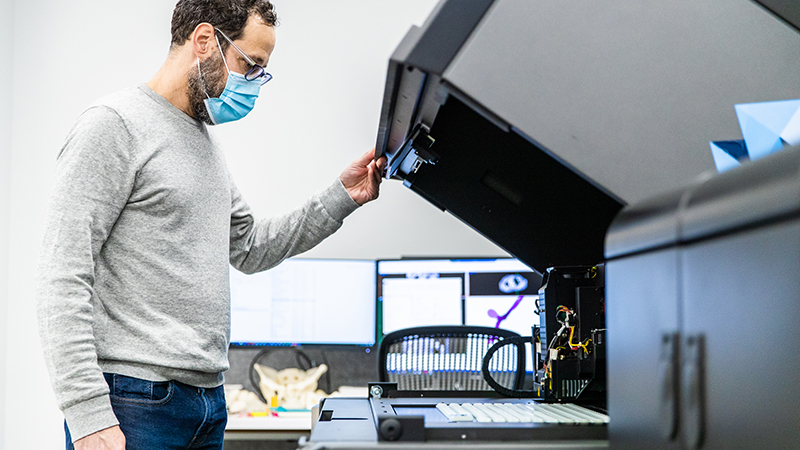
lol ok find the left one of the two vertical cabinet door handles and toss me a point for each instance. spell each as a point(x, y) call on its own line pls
point(668, 371)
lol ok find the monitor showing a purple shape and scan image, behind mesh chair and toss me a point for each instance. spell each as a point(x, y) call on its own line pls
point(497, 292)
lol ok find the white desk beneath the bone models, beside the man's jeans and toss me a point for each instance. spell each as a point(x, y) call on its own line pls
point(285, 431)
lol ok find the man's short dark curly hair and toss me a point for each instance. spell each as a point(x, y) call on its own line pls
point(229, 16)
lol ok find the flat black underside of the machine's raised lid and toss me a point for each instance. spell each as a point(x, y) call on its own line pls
point(513, 192)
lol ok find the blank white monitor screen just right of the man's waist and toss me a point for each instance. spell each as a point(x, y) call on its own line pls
point(305, 301)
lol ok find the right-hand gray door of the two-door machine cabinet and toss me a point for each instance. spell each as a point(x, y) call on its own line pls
point(741, 305)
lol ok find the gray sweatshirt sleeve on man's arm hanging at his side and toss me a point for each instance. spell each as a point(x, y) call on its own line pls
point(94, 177)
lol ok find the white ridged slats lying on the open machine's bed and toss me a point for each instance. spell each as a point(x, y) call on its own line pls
point(528, 412)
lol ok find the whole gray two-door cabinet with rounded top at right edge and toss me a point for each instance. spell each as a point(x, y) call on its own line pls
point(703, 311)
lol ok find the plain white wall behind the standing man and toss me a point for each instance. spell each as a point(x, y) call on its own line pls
point(318, 114)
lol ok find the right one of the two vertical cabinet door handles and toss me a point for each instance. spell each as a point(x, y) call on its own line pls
point(693, 391)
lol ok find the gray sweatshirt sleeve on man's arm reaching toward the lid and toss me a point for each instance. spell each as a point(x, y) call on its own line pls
point(258, 245)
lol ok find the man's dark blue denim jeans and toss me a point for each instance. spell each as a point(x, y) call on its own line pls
point(166, 415)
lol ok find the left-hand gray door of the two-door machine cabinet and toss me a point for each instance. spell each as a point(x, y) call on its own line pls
point(642, 320)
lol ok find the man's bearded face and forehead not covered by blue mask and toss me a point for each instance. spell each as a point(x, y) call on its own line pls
point(257, 41)
